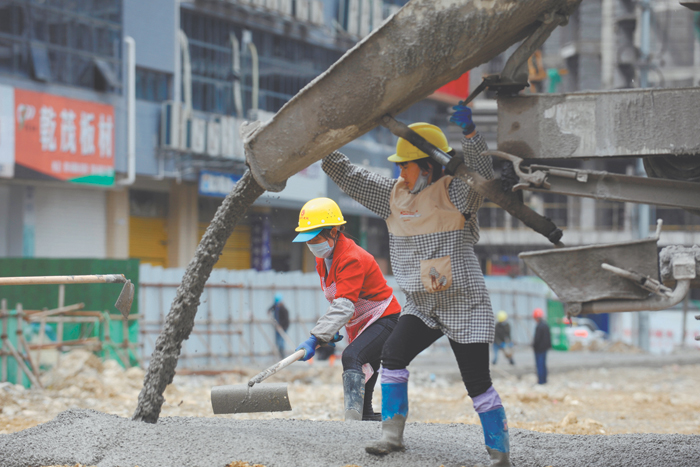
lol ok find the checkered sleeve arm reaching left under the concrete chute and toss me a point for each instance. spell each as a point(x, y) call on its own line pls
point(371, 190)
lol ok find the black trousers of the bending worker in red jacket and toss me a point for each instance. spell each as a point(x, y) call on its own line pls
point(367, 348)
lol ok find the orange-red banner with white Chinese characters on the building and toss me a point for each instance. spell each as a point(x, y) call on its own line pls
point(63, 139)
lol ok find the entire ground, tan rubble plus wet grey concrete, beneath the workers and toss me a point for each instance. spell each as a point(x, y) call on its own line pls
point(647, 407)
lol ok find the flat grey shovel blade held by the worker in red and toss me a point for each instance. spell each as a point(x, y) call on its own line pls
point(240, 398)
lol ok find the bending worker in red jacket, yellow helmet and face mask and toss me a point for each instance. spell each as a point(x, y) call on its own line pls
point(360, 300)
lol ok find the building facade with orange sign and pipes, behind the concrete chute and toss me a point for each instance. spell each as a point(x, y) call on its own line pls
point(86, 171)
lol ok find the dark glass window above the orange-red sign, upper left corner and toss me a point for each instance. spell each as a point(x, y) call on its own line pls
point(62, 41)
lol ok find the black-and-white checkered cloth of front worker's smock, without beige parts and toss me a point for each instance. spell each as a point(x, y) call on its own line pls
point(463, 311)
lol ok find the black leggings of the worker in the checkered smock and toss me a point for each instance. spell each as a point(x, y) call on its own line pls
point(411, 336)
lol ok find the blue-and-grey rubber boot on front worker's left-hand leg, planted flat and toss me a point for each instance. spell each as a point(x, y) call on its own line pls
point(394, 414)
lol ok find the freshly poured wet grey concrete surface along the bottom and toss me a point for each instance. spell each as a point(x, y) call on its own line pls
point(93, 438)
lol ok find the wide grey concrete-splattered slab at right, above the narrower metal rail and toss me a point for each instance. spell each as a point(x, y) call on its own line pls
point(637, 122)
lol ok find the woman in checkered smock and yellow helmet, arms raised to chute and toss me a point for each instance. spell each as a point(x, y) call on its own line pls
point(432, 222)
